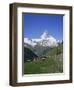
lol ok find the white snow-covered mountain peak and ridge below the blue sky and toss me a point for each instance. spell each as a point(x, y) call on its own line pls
point(44, 40)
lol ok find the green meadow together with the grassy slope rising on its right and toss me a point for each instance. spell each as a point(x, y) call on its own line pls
point(53, 63)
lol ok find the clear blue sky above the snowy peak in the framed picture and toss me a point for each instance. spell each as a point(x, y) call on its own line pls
point(36, 24)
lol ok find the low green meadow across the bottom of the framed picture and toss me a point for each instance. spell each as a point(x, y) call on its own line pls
point(50, 65)
